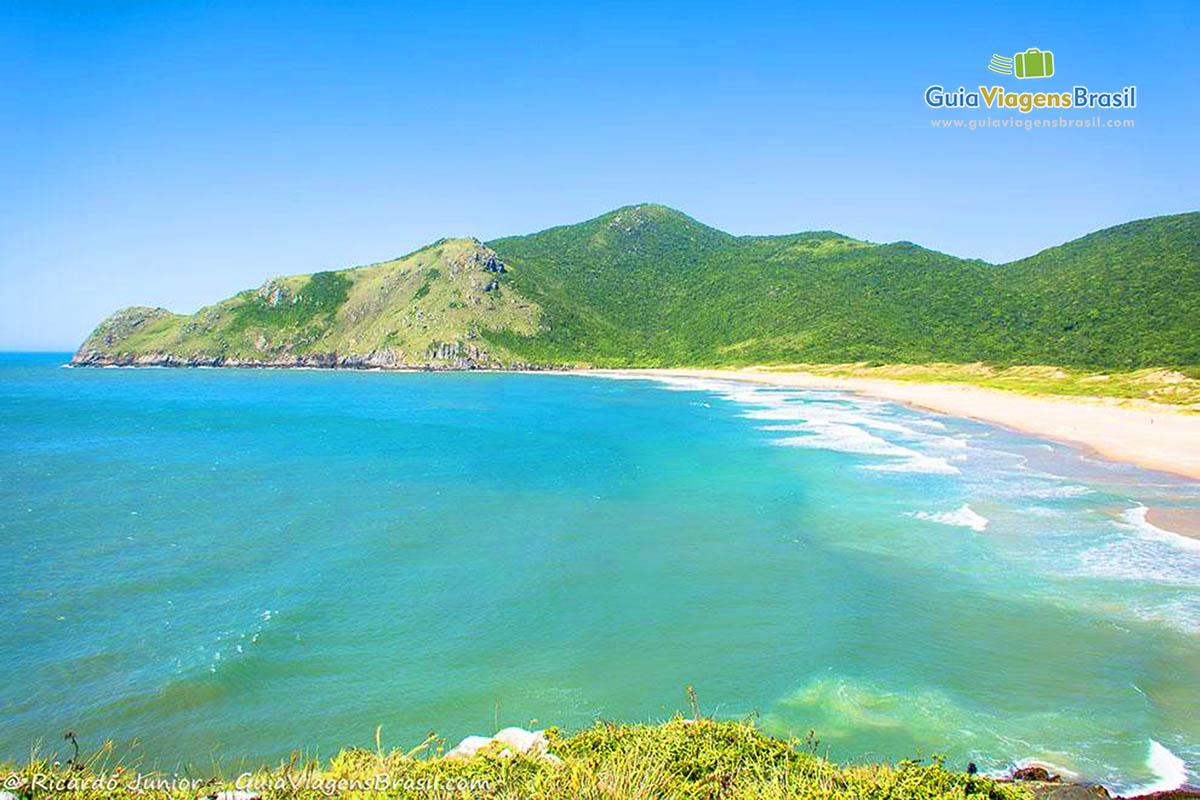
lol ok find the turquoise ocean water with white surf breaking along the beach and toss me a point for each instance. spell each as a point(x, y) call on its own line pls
point(241, 563)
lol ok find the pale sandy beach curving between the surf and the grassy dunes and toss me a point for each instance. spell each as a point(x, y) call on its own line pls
point(1155, 440)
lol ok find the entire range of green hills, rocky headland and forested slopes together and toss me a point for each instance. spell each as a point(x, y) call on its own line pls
point(649, 286)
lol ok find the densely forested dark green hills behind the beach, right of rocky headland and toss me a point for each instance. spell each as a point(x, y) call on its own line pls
point(647, 286)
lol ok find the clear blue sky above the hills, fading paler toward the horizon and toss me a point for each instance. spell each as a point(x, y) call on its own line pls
point(171, 154)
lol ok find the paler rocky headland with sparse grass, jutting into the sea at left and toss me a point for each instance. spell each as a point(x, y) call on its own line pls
point(428, 309)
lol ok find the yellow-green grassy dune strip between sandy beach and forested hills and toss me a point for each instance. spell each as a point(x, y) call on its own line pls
point(1169, 387)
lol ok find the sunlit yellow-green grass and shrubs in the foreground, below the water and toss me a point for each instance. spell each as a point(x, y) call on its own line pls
point(680, 759)
